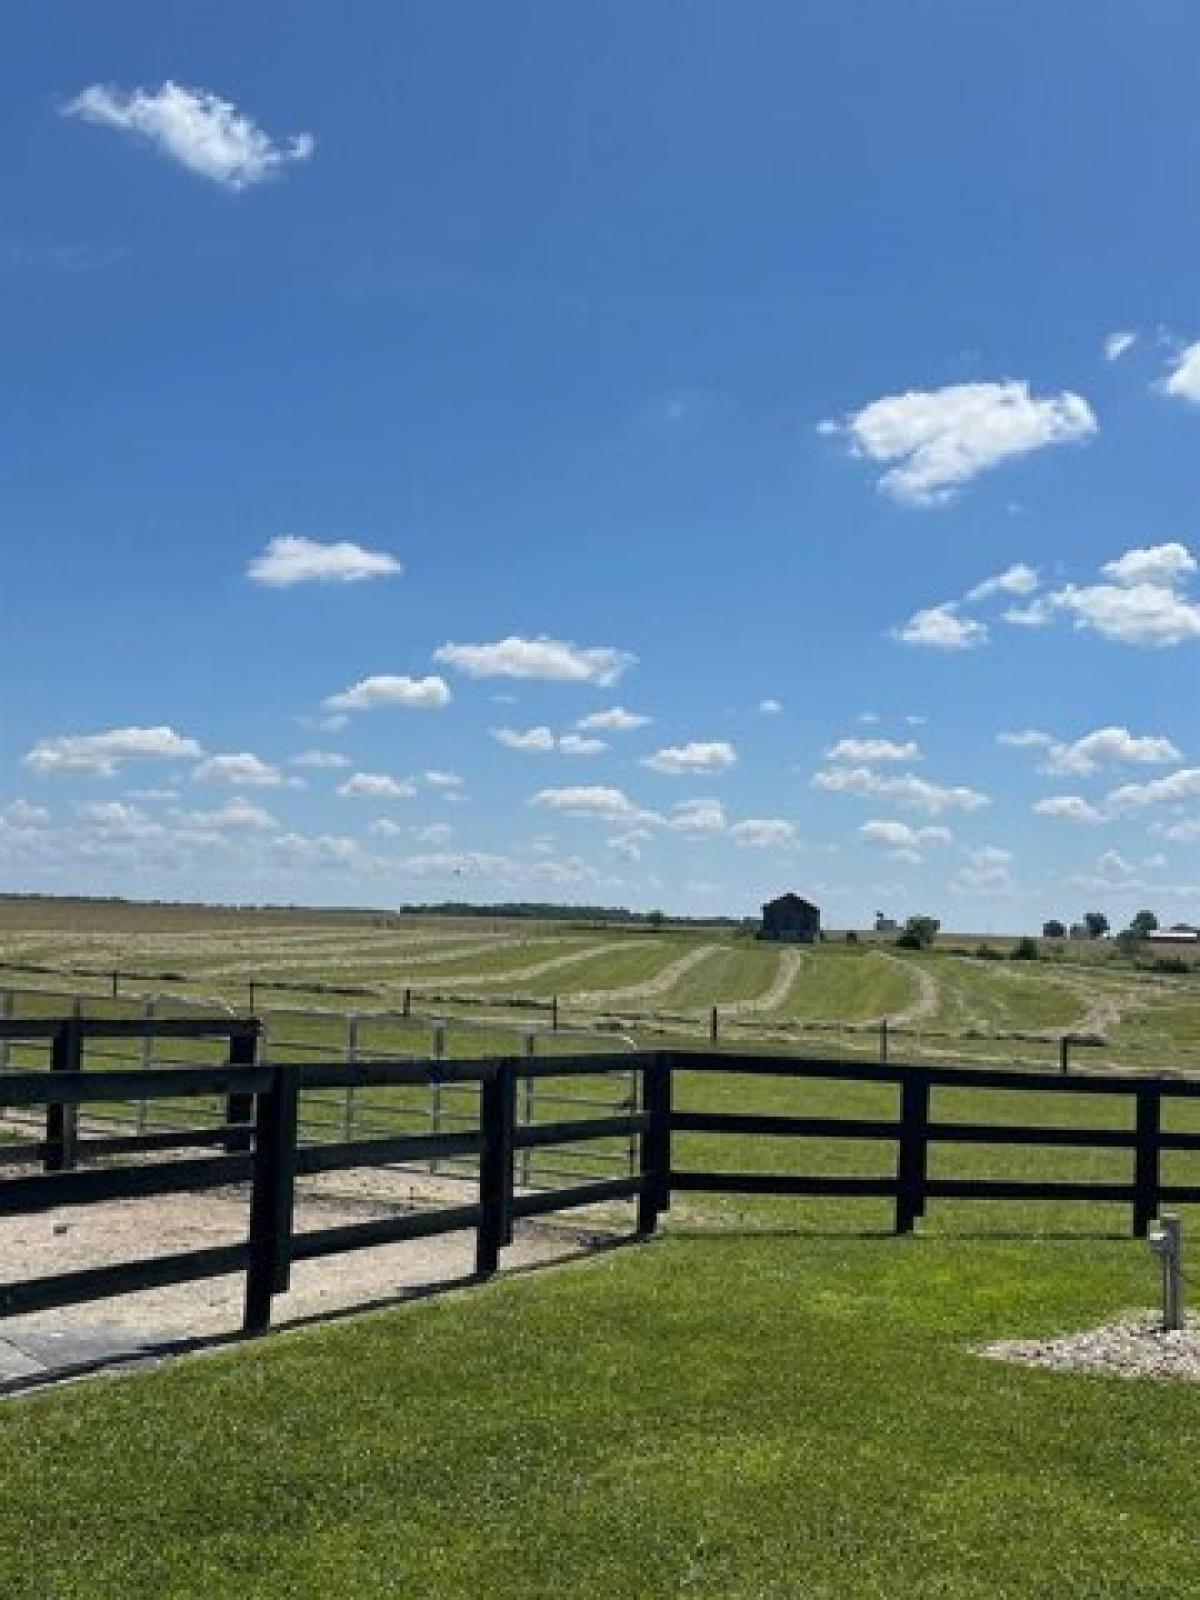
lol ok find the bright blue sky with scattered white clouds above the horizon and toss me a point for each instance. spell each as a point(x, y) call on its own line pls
point(818, 386)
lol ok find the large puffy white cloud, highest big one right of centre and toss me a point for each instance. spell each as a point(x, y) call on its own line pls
point(942, 439)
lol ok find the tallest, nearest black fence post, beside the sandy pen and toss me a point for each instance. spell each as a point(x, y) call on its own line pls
point(273, 1198)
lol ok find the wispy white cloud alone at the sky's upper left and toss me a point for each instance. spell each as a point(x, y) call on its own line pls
point(196, 129)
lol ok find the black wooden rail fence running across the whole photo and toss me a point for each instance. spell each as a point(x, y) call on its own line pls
point(257, 1143)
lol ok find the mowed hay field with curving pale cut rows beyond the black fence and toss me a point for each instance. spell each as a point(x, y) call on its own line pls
point(654, 985)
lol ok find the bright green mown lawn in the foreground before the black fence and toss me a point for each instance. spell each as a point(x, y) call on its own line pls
point(740, 1417)
